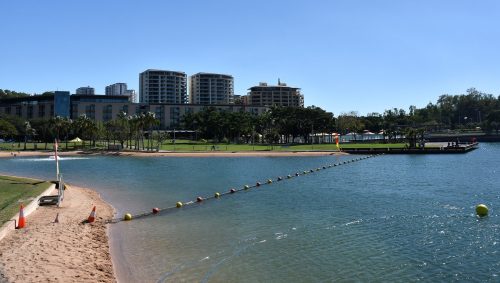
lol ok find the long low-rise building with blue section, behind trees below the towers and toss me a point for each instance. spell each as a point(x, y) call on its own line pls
point(104, 108)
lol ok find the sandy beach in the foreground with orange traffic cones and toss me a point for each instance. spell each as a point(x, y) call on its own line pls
point(68, 251)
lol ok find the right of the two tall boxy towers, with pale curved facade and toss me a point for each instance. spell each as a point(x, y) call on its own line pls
point(207, 88)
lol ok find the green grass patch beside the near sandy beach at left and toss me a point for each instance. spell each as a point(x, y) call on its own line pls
point(14, 191)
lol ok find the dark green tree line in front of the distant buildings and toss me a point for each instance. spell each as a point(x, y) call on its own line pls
point(472, 110)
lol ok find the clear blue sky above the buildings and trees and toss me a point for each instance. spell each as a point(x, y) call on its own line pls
point(349, 55)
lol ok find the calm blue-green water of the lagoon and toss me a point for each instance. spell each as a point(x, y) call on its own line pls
point(389, 218)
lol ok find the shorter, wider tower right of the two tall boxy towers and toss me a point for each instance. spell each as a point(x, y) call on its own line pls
point(279, 95)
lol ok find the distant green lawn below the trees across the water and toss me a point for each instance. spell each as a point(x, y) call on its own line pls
point(190, 146)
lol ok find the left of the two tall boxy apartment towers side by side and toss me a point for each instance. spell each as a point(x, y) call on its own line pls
point(160, 86)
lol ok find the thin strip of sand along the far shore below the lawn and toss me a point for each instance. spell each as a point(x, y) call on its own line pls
point(9, 154)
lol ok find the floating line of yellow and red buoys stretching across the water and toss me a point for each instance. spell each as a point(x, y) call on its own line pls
point(218, 195)
